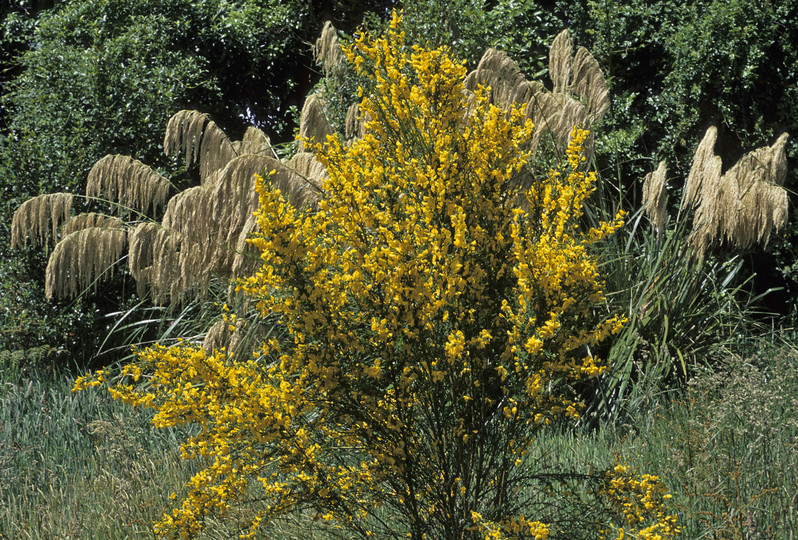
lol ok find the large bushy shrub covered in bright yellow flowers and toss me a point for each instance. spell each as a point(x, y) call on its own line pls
point(435, 314)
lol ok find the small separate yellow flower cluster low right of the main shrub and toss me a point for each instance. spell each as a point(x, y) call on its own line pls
point(641, 501)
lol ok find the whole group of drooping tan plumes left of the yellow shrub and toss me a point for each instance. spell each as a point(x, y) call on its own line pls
point(204, 228)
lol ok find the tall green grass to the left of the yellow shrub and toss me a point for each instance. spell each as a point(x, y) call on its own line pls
point(79, 465)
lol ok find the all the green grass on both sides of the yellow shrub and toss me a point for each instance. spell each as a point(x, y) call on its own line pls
point(83, 466)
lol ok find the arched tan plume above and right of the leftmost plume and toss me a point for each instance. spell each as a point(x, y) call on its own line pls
point(129, 182)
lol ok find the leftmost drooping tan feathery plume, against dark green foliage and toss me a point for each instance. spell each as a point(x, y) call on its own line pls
point(39, 218)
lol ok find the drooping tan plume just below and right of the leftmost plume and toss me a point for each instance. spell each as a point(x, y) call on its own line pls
point(81, 259)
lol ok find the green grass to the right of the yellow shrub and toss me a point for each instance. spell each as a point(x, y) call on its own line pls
point(726, 446)
